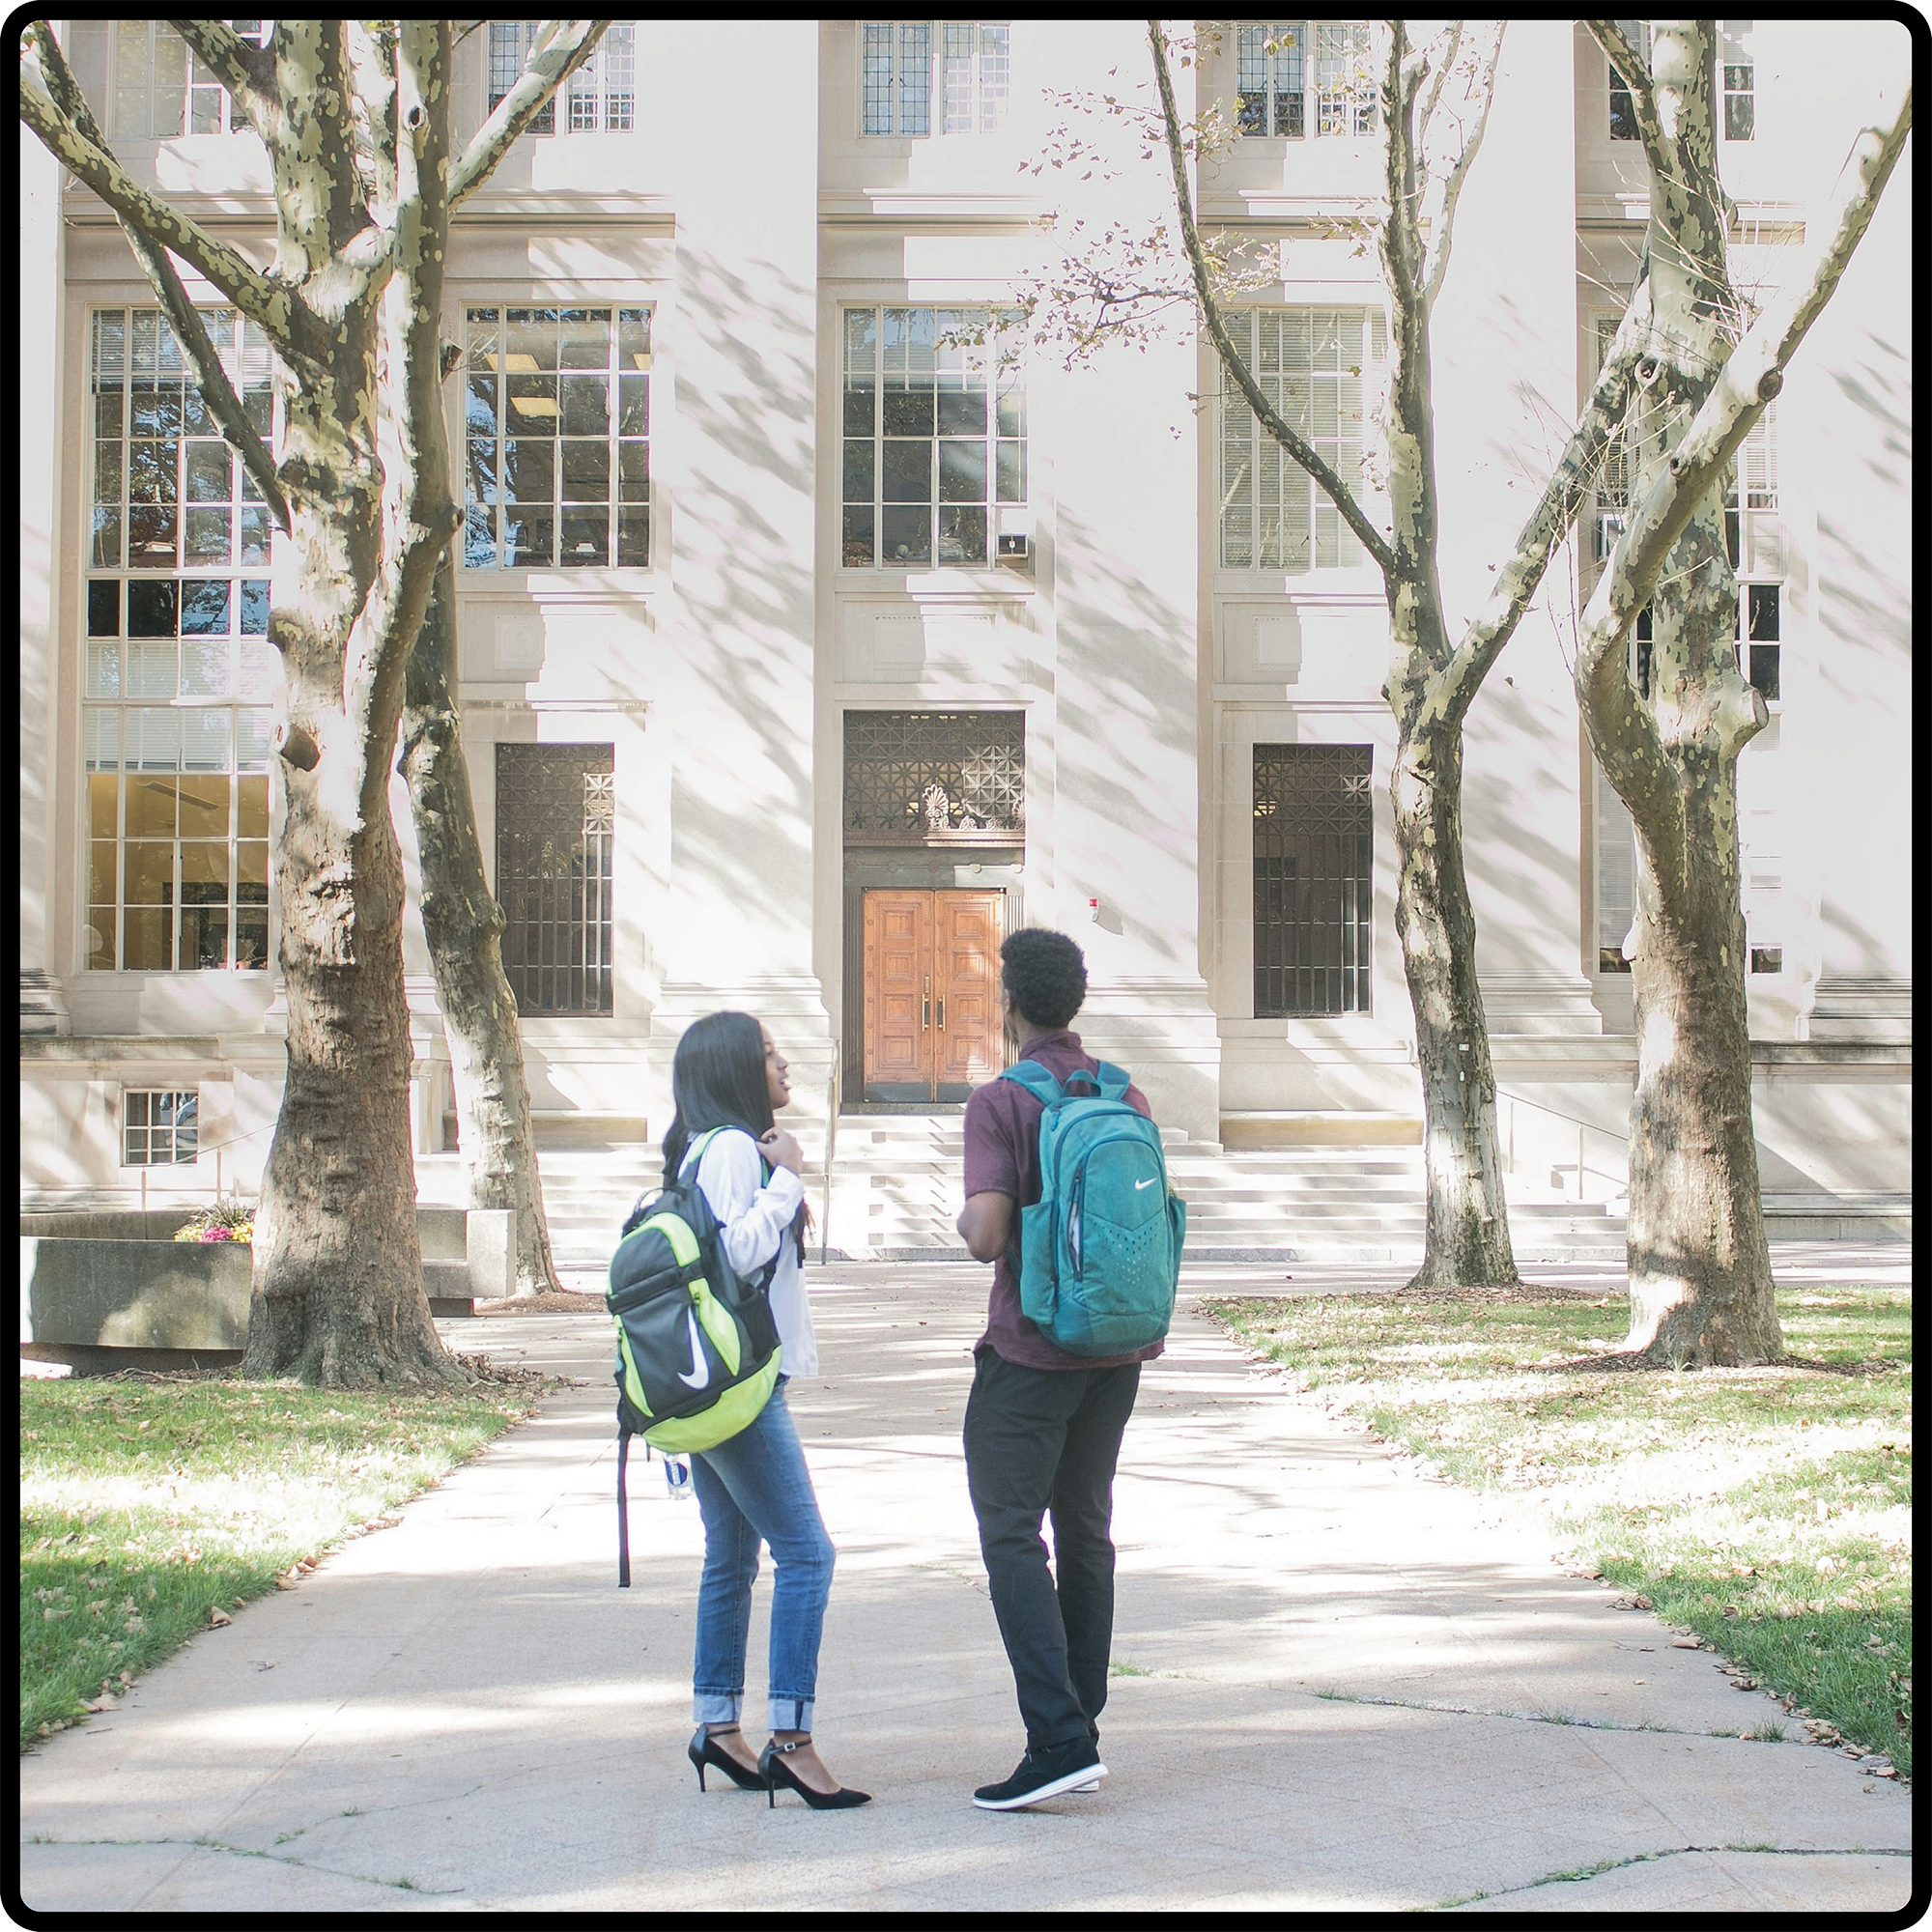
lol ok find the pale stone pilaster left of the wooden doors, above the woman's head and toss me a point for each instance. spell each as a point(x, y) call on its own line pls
point(739, 461)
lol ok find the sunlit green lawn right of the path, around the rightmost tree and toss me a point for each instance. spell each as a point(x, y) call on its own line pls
point(1767, 1510)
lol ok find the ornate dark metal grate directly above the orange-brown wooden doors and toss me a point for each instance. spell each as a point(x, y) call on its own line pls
point(936, 778)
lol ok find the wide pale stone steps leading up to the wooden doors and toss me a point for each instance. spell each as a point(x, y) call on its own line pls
point(897, 1191)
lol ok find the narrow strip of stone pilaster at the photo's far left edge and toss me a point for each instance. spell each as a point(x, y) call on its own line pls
point(43, 1008)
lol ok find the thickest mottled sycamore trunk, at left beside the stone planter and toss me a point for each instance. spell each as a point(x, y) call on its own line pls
point(339, 1268)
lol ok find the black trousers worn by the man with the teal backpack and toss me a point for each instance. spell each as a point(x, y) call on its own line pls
point(1046, 1440)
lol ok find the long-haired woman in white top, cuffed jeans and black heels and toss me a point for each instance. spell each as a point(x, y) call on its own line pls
point(729, 1075)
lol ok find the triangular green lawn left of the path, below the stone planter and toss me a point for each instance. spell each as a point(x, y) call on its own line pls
point(154, 1504)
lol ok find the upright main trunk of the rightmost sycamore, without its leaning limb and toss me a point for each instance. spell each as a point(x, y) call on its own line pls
point(1699, 1264)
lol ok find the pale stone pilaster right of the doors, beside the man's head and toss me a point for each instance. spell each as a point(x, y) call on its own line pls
point(1122, 561)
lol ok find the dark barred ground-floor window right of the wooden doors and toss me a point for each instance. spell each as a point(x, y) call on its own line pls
point(1315, 838)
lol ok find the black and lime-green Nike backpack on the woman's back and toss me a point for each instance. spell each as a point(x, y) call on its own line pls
point(696, 1348)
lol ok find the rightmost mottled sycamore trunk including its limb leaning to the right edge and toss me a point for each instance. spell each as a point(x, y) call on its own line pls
point(1668, 737)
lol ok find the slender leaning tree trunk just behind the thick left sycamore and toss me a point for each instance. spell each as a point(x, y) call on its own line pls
point(465, 924)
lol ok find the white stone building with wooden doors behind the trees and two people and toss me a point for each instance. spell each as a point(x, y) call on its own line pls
point(805, 654)
